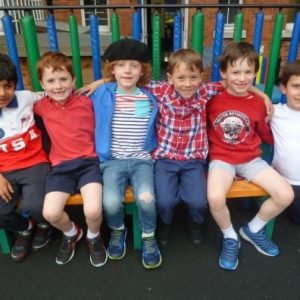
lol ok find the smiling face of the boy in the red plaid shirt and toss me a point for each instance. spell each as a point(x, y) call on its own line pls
point(185, 80)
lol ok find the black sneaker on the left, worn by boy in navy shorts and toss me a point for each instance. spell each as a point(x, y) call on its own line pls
point(66, 249)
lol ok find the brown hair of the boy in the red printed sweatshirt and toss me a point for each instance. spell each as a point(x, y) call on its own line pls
point(235, 51)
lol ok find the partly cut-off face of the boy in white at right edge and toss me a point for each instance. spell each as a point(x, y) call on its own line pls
point(292, 92)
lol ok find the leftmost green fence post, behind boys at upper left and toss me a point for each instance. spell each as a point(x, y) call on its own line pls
point(32, 49)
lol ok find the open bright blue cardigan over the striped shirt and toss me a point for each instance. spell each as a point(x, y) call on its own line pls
point(104, 102)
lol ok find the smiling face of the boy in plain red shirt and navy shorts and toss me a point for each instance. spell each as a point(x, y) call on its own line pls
point(58, 84)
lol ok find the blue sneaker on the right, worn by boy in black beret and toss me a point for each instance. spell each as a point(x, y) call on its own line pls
point(151, 257)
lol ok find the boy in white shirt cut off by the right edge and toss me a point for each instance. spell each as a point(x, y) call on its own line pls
point(285, 125)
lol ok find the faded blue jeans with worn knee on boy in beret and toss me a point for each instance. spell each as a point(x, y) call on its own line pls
point(116, 176)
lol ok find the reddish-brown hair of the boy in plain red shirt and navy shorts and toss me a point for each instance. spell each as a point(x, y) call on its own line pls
point(56, 60)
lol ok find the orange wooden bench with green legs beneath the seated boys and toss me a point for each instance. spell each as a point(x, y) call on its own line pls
point(238, 189)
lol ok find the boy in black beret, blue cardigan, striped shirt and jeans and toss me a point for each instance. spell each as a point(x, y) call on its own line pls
point(125, 136)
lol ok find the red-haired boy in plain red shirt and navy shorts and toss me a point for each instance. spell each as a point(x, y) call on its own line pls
point(69, 121)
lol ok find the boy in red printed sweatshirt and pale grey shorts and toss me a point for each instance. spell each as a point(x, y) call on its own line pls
point(236, 127)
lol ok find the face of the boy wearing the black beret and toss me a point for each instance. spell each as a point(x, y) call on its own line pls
point(127, 74)
